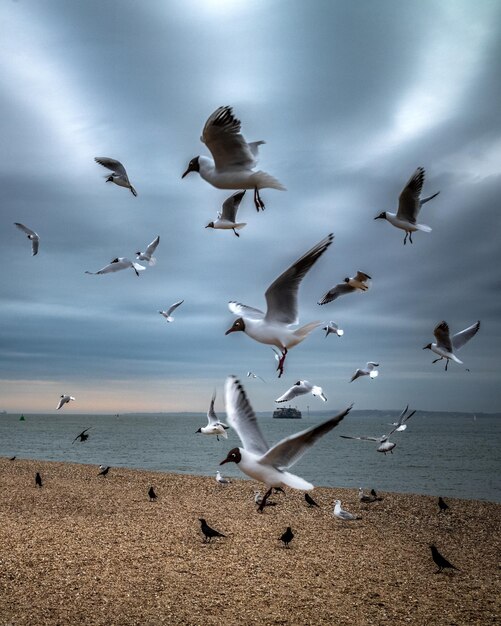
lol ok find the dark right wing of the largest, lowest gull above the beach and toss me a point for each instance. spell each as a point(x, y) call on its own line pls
point(286, 452)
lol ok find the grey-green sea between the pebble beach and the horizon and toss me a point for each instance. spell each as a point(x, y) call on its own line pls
point(447, 454)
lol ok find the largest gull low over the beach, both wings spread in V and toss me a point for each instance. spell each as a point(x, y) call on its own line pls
point(255, 458)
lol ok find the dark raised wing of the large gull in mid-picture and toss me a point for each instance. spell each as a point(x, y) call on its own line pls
point(281, 295)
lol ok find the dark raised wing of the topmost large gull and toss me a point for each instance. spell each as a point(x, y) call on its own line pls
point(221, 134)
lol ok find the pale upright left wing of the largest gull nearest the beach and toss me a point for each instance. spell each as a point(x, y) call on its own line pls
point(242, 418)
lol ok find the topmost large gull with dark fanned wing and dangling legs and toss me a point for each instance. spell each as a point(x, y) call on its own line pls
point(233, 159)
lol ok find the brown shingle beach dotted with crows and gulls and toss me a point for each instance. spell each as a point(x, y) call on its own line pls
point(90, 550)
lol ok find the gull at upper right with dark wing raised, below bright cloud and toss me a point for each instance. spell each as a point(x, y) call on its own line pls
point(409, 205)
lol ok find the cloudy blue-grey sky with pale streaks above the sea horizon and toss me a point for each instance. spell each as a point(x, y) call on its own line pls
point(350, 98)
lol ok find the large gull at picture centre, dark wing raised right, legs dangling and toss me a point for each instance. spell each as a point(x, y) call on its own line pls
point(274, 326)
